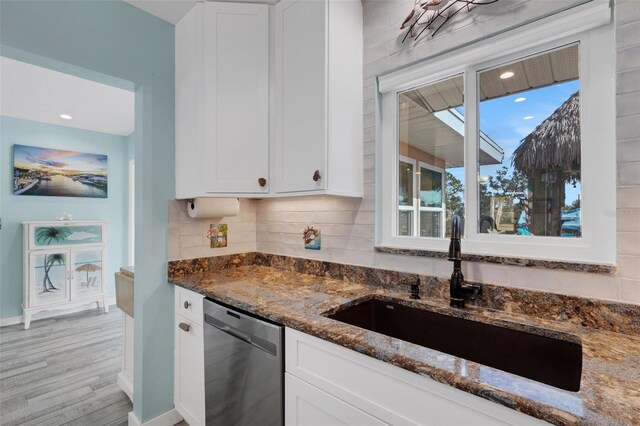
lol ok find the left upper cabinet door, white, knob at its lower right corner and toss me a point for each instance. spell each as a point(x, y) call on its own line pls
point(236, 56)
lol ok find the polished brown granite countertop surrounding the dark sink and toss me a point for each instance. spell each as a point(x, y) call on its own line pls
point(610, 388)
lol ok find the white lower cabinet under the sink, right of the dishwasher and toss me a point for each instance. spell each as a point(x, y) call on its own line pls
point(329, 384)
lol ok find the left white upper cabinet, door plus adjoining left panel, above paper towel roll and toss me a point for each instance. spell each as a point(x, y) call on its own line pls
point(222, 100)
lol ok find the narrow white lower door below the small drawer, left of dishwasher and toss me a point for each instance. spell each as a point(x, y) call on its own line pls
point(189, 371)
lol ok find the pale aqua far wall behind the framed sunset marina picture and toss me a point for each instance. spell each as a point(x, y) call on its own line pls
point(19, 208)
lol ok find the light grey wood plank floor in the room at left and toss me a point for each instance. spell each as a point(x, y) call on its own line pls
point(62, 371)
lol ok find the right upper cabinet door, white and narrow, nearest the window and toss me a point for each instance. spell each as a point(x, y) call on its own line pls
point(301, 95)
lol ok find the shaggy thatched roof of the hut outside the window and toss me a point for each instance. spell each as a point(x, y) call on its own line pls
point(555, 143)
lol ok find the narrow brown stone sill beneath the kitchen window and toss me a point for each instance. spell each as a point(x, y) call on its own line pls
point(513, 261)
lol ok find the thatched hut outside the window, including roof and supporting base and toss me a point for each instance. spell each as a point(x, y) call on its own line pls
point(549, 156)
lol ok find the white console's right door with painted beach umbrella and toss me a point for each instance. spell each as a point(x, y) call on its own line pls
point(86, 273)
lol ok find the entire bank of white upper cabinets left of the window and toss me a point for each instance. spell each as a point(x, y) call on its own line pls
point(269, 99)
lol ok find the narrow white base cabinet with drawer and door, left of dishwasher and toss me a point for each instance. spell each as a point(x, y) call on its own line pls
point(188, 390)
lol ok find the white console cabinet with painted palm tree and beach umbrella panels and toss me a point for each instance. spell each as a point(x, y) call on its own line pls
point(65, 265)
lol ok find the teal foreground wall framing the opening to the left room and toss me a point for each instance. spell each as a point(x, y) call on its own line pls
point(94, 39)
